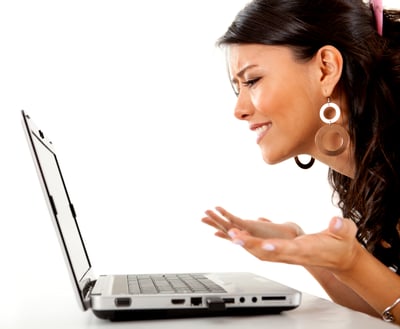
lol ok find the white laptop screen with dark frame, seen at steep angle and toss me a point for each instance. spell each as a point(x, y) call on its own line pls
point(62, 208)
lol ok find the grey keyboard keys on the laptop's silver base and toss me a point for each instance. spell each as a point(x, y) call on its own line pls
point(171, 284)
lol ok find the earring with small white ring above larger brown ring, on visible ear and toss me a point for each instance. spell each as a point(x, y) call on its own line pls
point(331, 139)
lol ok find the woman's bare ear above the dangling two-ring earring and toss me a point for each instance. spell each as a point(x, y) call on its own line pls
point(330, 63)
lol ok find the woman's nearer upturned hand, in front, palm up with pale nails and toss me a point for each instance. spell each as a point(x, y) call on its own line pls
point(335, 248)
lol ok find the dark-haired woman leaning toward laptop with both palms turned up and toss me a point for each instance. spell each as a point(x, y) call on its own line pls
point(322, 78)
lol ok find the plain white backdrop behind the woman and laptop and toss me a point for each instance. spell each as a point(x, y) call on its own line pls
point(136, 99)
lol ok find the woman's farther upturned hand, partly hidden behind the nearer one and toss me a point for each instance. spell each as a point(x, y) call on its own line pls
point(262, 228)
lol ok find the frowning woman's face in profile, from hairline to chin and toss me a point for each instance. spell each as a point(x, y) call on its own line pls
point(279, 97)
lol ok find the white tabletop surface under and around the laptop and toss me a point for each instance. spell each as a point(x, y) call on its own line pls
point(62, 312)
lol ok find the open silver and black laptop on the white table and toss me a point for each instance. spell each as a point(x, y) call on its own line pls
point(145, 296)
